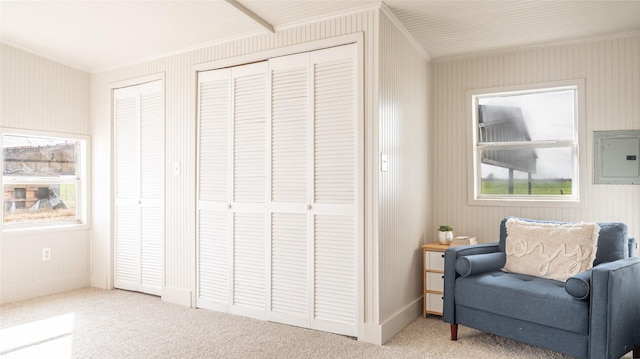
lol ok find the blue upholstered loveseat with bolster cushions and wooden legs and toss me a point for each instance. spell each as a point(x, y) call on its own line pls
point(594, 314)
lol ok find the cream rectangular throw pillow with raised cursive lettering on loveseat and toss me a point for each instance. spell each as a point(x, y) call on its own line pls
point(550, 250)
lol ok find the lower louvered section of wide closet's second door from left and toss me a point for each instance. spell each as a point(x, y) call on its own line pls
point(249, 295)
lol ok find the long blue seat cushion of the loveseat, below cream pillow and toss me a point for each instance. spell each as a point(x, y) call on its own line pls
point(537, 300)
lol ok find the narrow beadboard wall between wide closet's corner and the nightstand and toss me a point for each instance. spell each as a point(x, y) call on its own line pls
point(403, 191)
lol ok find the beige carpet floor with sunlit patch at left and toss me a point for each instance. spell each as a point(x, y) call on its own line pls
point(94, 323)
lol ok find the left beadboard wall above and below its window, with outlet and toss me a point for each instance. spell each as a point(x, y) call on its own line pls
point(38, 94)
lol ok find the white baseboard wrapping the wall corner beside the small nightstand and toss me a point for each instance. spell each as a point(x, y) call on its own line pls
point(381, 333)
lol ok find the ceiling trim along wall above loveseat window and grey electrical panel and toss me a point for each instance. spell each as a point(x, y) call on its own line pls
point(511, 50)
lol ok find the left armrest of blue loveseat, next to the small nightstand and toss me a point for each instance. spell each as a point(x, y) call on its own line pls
point(450, 274)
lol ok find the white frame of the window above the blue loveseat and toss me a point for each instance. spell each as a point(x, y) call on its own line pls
point(577, 198)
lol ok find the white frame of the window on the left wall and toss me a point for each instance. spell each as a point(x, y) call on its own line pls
point(80, 180)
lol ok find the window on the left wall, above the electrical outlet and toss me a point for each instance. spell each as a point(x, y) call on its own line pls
point(43, 179)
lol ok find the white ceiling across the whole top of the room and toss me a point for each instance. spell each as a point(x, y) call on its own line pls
point(99, 35)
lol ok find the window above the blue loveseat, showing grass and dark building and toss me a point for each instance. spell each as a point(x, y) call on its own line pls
point(525, 144)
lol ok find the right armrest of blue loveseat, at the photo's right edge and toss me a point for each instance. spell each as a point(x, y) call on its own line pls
point(615, 313)
